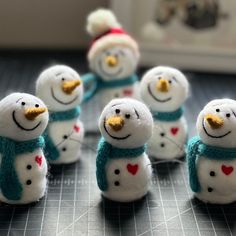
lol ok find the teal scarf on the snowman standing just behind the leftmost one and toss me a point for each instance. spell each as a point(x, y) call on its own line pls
point(51, 151)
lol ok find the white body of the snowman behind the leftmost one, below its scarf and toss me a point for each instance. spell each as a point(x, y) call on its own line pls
point(69, 147)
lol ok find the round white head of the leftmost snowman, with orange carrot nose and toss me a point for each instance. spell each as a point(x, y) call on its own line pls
point(23, 117)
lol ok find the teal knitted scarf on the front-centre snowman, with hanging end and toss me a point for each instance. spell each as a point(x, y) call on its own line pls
point(107, 152)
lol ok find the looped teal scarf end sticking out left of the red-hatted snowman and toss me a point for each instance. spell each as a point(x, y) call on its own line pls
point(89, 79)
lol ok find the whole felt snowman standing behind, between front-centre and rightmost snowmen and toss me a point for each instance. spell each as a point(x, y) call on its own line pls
point(164, 90)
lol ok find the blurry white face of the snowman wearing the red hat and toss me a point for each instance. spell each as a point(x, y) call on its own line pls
point(114, 62)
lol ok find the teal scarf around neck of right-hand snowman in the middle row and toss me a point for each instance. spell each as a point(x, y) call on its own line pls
point(168, 116)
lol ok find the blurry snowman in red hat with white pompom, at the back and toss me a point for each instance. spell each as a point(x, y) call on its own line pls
point(113, 58)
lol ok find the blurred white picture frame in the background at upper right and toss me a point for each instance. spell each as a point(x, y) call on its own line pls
point(199, 55)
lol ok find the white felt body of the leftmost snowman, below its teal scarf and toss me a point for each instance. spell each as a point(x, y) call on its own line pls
point(37, 174)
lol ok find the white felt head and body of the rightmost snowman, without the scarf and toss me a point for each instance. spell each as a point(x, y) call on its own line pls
point(219, 187)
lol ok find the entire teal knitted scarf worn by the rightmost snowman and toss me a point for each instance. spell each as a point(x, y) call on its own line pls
point(197, 148)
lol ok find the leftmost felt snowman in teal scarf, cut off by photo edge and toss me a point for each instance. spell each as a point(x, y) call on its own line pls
point(23, 167)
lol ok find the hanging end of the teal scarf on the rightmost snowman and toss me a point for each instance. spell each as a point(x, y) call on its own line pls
point(192, 154)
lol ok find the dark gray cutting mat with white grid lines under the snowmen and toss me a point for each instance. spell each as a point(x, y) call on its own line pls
point(73, 204)
